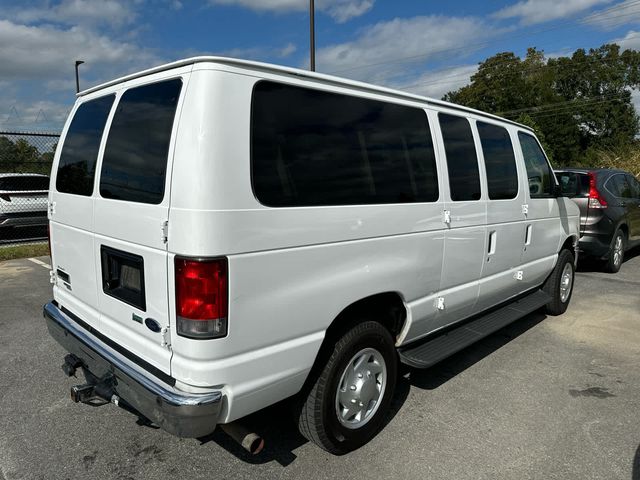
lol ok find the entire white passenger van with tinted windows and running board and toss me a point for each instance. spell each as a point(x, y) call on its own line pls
point(227, 234)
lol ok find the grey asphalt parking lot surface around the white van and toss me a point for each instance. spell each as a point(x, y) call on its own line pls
point(547, 397)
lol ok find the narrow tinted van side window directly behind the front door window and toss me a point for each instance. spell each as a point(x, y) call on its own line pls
point(499, 161)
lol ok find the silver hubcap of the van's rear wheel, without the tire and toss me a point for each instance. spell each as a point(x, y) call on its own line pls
point(361, 388)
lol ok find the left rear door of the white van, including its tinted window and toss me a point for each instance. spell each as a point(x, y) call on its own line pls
point(71, 208)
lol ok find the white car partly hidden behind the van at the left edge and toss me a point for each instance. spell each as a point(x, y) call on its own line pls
point(23, 201)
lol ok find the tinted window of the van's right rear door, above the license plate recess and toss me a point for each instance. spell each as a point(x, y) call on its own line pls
point(135, 158)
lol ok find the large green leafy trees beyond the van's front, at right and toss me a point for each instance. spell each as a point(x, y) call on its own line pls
point(577, 103)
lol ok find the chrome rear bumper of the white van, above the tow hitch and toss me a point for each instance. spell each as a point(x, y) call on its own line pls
point(179, 413)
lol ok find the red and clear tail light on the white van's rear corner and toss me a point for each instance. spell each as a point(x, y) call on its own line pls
point(201, 298)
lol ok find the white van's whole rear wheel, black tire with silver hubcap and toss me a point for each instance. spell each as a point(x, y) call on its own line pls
point(361, 368)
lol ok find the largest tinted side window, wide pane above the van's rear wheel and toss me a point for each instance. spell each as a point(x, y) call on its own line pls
point(319, 148)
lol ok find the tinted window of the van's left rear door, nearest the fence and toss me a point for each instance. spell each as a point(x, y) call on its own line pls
point(77, 165)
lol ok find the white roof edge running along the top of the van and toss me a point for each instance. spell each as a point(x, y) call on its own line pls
point(297, 72)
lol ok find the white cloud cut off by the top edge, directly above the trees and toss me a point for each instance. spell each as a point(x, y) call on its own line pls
point(537, 11)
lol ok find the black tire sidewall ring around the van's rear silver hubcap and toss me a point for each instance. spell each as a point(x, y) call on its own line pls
point(346, 439)
